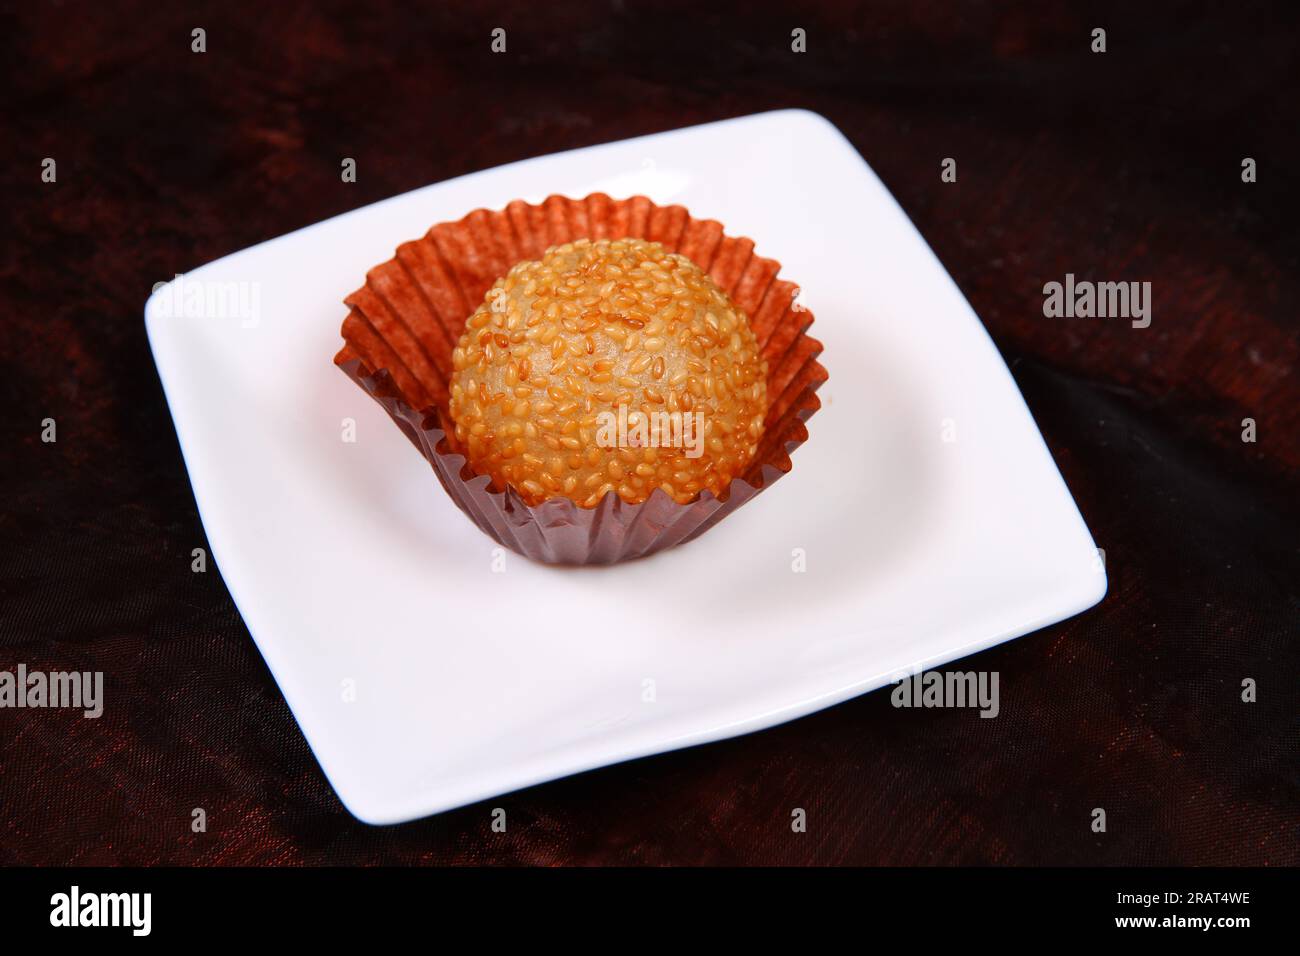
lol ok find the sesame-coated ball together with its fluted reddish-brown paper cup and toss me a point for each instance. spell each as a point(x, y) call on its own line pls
point(592, 380)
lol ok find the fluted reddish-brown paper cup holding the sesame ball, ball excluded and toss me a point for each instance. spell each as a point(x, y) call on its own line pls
point(408, 318)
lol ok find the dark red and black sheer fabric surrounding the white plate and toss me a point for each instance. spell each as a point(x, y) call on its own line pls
point(1124, 166)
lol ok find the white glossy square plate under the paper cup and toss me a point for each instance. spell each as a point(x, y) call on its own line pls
point(931, 518)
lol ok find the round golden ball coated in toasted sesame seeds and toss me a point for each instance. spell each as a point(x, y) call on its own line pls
point(608, 366)
